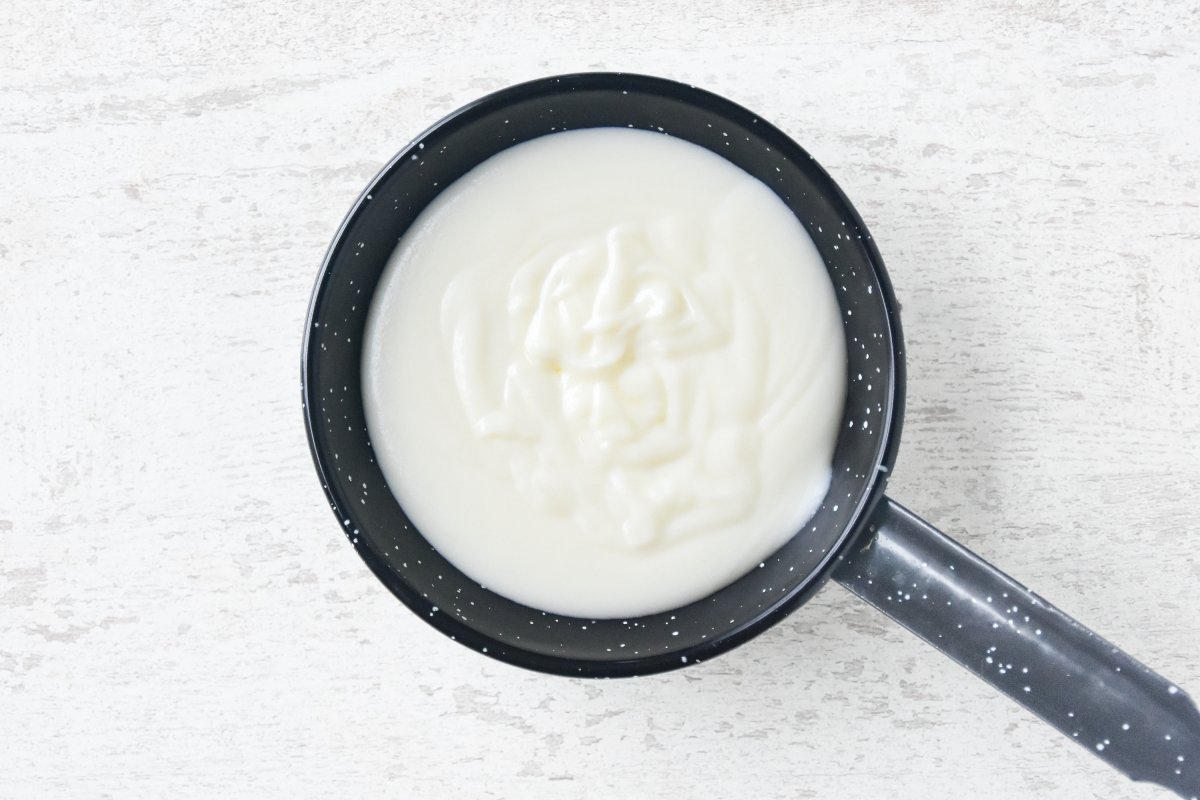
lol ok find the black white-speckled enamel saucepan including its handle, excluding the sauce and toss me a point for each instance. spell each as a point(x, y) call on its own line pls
point(1091, 691)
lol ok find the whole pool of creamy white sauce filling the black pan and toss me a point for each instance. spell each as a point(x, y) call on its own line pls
point(604, 374)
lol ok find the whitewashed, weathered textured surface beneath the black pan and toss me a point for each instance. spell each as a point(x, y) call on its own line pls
point(179, 613)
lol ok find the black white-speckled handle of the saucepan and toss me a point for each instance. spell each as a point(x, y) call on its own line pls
point(1108, 702)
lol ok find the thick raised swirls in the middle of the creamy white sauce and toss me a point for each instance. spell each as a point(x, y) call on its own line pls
point(609, 342)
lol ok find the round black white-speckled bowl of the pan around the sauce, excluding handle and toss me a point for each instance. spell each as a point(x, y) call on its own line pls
point(377, 526)
